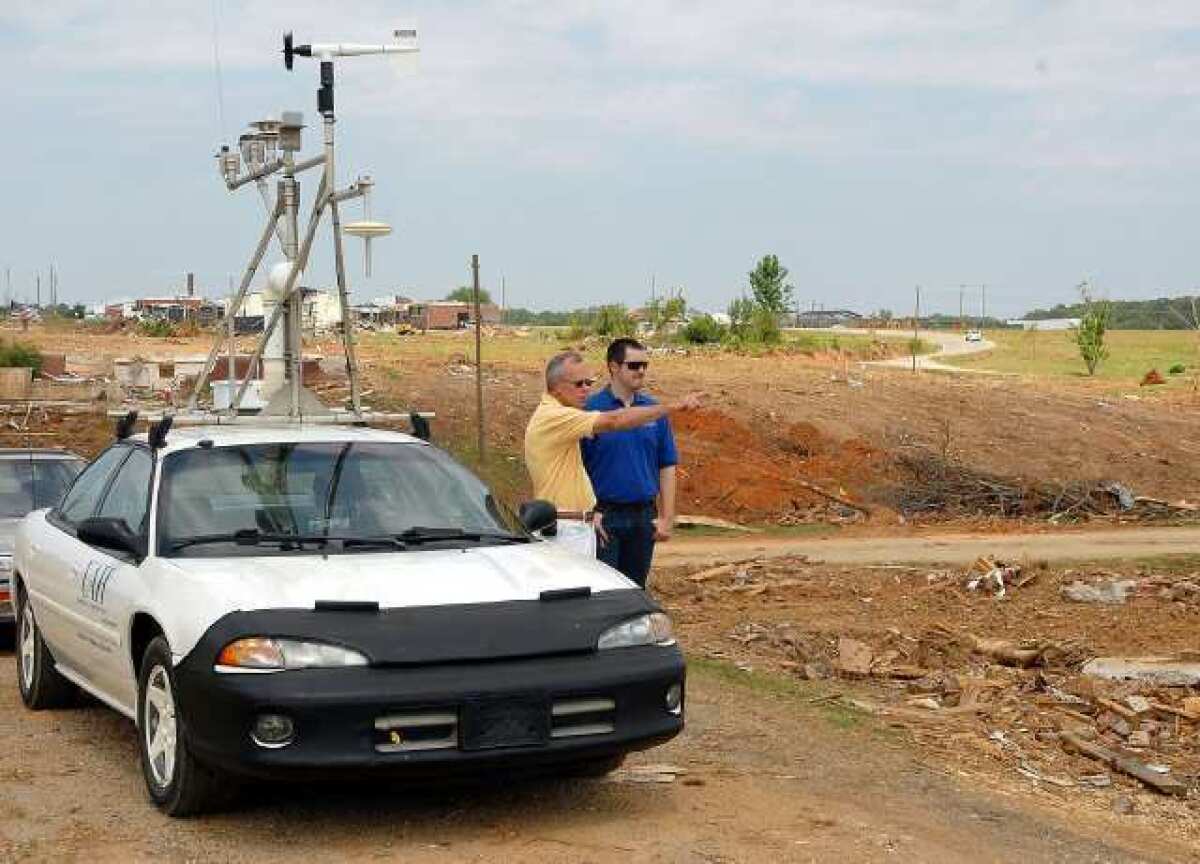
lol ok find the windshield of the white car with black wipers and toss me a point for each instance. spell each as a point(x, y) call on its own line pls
point(323, 497)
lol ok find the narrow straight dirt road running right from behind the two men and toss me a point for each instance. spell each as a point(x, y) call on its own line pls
point(940, 549)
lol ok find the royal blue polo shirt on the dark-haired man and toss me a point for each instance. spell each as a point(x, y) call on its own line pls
point(625, 466)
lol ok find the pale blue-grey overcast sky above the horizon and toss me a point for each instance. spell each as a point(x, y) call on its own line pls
point(581, 148)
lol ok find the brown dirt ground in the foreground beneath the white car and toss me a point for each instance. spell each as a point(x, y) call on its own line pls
point(770, 777)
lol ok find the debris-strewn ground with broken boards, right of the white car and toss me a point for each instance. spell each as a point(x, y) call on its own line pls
point(1067, 679)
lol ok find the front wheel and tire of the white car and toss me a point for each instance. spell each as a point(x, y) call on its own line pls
point(177, 782)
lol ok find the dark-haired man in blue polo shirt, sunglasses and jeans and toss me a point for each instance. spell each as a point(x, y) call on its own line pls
point(633, 472)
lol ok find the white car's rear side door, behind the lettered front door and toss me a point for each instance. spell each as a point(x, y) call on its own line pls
point(57, 561)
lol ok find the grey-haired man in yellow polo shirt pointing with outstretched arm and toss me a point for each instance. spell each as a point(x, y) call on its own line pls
point(560, 424)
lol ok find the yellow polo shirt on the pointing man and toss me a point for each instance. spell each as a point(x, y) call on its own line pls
point(554, 458)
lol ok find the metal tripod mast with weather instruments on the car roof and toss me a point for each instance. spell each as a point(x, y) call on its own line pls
point(269, 151)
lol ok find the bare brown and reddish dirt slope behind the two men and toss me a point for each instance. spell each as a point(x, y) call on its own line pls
point(775, 427)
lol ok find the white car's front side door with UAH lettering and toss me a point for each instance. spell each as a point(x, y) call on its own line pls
point(111, 580)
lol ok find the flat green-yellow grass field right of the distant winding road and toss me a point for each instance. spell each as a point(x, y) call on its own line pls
point(1132, 353)
